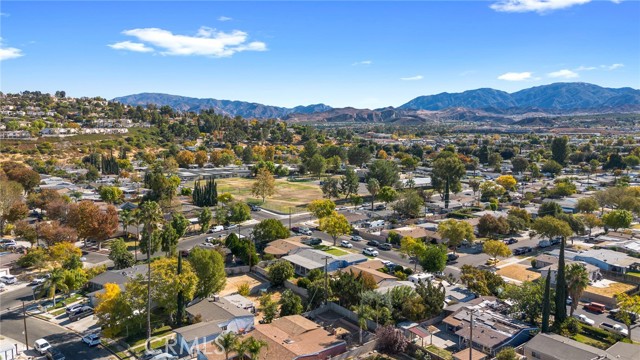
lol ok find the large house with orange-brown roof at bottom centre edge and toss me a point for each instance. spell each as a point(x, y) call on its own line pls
point(295, 337)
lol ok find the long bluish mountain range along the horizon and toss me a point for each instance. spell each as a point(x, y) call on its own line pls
point(482, 104)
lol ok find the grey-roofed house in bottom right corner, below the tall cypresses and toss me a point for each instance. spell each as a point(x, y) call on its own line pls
point(557, 347)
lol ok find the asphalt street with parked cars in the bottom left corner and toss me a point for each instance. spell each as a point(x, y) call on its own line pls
point(69, 343)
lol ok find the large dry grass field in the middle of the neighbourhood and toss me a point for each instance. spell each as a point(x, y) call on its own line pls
point(289, 195)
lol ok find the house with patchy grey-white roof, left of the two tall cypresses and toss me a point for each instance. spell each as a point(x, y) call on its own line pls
point(493, 327)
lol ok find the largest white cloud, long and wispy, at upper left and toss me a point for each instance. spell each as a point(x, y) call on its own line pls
point(206, 42)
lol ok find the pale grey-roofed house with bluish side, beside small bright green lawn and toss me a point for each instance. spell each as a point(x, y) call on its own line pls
point(306, 260)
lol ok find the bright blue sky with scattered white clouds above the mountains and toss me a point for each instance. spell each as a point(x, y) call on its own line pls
point(360, 54)
